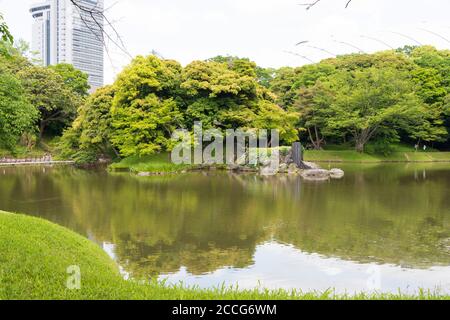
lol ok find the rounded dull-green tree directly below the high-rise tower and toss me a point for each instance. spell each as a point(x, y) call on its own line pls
point(47, 91)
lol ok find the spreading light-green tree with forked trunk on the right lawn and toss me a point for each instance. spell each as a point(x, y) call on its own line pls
point(373, 101)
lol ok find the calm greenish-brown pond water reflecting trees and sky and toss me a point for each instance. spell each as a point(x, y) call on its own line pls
point(382, 227)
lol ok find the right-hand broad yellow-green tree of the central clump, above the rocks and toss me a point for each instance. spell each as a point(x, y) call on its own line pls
point(226, 93)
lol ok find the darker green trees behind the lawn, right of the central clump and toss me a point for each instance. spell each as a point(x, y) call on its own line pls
point(376, 98)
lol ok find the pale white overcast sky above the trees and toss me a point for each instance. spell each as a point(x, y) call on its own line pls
point(262, 30)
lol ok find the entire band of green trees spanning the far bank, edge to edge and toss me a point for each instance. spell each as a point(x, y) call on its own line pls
point(382, 99)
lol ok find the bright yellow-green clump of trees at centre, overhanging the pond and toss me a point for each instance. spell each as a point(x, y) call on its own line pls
point(152, 97)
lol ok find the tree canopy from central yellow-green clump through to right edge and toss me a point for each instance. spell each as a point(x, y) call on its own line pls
point(382, 98)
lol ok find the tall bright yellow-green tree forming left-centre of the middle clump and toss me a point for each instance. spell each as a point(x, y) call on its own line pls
point(144, 110)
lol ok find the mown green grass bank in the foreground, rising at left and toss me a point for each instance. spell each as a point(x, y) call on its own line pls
point(36, 254)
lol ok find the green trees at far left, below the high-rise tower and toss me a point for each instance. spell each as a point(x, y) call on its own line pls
point(34, 100)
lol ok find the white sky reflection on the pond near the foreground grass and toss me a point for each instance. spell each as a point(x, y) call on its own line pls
point(281, 266)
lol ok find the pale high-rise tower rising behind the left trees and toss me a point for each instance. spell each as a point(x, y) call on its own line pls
point(64, 33)
